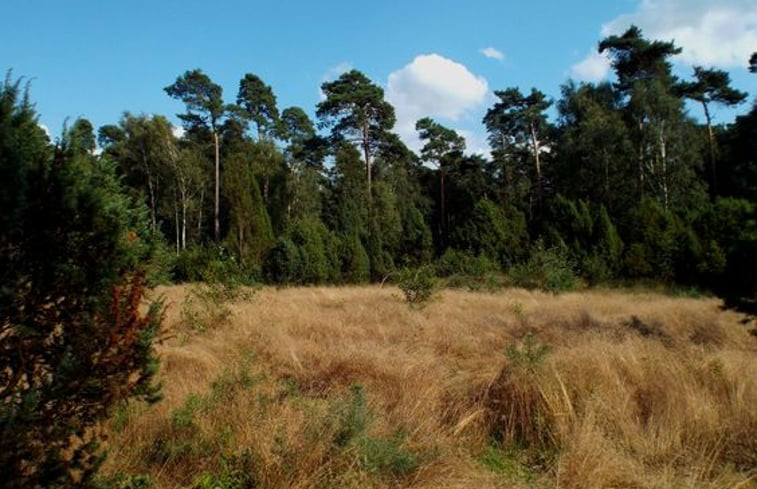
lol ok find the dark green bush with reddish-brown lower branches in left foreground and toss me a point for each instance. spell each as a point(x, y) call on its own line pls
point(74, 336)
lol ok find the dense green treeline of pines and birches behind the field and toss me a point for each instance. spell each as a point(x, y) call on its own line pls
point(624, 185)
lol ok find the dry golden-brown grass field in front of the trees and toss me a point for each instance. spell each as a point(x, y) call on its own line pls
point(349, 387)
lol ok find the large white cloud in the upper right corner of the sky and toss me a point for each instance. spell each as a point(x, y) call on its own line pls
point(720, 33)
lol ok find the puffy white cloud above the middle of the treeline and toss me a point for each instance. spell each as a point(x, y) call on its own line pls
point(432, 86)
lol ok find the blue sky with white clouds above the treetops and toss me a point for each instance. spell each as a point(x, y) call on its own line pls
point(442, 59)
